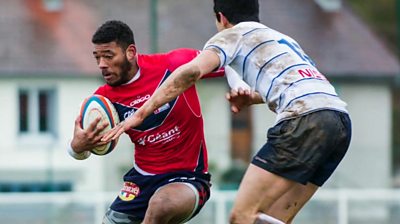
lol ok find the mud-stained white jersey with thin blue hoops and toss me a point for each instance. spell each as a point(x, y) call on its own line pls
point(274, 65)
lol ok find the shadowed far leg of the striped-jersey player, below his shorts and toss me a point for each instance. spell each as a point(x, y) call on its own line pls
point(289, 204)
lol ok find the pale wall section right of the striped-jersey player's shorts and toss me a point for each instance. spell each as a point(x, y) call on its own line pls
point(367, 163)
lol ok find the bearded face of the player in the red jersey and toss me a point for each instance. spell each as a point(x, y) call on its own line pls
point(113, 63)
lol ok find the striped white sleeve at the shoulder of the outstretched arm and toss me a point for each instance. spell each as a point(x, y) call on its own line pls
point(226, 44)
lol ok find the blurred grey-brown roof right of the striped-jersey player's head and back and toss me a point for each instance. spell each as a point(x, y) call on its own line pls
point(339, 42)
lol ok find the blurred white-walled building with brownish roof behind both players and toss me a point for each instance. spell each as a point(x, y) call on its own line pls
point(47, 69)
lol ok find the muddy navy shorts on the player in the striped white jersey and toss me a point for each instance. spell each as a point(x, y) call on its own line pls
point(307, 148)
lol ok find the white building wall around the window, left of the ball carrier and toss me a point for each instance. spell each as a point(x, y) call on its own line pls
point(40, 160)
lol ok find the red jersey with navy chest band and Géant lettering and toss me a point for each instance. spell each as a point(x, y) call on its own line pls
point(172, 138)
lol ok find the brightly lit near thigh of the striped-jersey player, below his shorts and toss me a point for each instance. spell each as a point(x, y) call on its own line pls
point(258, 191)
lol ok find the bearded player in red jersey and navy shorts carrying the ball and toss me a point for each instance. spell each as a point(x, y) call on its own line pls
point(169, 182)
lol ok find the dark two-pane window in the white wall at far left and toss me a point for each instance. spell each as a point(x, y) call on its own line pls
point(36, 112)
